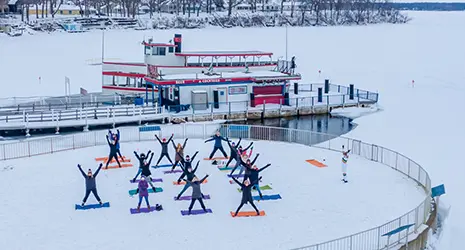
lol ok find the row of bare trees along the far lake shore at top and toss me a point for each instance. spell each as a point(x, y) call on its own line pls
point(323, 11)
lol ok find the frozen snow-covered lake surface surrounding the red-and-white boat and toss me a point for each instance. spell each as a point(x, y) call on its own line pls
point(424, 122)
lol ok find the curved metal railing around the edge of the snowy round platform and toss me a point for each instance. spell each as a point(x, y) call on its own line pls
point(371, 239)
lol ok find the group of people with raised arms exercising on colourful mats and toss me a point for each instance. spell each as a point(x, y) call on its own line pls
point(250, 180)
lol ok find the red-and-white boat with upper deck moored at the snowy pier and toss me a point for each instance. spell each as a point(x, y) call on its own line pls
point(197, 79)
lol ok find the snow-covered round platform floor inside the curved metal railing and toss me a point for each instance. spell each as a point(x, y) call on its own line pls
point(316, 205)
